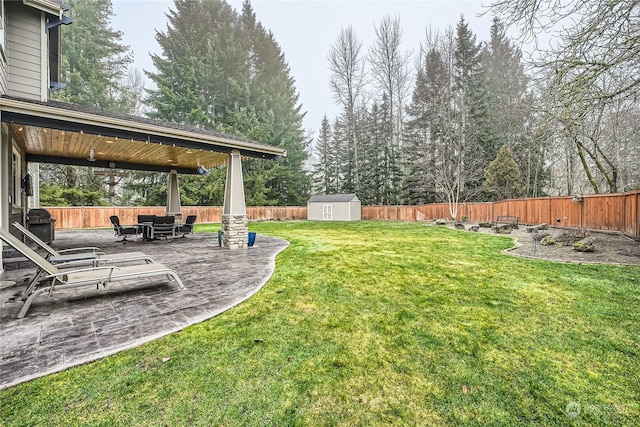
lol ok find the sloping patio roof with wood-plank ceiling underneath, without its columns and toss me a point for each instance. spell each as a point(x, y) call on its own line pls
point(63, 133)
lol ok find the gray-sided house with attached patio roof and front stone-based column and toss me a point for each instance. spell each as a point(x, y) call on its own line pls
point(37, 130)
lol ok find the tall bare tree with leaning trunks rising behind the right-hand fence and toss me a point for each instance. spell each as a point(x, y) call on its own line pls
point(589, 71)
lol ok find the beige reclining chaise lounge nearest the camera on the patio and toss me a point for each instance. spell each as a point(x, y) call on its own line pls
point(57, 278)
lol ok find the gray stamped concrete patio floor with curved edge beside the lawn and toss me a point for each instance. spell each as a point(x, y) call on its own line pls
point(76, 326)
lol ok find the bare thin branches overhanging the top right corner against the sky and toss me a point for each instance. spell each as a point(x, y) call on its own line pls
point(595, 39)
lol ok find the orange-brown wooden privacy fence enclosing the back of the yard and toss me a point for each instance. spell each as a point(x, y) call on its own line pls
point(609, 212)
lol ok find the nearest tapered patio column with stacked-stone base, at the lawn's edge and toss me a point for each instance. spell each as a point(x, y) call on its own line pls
point(235, 223)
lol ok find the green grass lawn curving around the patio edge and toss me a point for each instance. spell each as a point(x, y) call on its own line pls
point(377, 323)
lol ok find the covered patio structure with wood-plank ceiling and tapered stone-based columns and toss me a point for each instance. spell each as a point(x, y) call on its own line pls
point(63, 133)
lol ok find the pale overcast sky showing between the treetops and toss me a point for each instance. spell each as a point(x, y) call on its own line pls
point(306, 30)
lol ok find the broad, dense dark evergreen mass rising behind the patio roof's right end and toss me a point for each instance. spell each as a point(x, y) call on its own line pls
point(223, 71)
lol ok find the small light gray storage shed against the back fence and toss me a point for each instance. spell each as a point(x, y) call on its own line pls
point(334, 207)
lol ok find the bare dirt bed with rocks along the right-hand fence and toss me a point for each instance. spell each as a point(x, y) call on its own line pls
point(609, 248)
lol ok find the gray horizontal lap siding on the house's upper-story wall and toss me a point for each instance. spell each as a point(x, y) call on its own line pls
point(24, 53)
